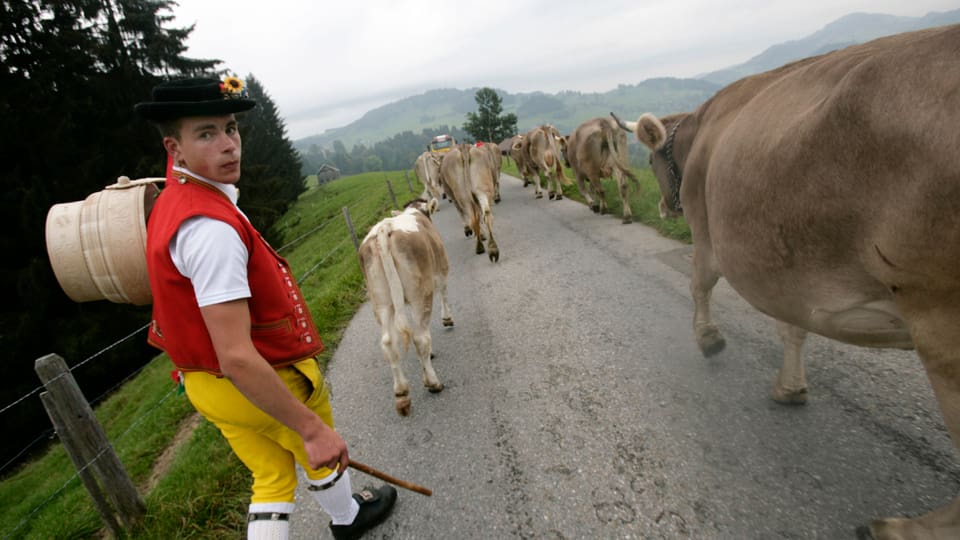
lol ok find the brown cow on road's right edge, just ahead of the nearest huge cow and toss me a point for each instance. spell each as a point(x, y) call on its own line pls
point(598, 149)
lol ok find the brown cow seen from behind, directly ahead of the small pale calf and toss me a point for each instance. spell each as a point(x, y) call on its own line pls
point(466, 171)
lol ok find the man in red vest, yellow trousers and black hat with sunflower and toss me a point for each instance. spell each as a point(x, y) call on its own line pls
point(228, 312)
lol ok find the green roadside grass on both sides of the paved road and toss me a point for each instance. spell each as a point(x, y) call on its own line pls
point(205, 491)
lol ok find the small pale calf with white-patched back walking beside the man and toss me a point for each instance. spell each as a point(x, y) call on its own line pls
point(404, 262)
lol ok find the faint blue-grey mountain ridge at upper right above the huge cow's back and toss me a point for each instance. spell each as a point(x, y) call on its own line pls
point(845, 31)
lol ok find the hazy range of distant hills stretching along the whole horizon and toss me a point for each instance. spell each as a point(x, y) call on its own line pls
point(566, 110)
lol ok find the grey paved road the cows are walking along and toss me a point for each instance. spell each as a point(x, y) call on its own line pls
point(578, 406)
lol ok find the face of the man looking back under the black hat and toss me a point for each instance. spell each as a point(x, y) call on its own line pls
point(208, 146)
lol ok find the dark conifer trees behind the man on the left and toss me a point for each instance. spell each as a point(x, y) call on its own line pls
point(74, 70)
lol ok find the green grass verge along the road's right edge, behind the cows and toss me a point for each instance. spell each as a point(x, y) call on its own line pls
point(643, 202)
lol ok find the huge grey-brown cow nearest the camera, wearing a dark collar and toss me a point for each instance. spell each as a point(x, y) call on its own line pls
point(827, 192)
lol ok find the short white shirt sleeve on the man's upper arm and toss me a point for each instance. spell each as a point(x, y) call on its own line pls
point(211, 254)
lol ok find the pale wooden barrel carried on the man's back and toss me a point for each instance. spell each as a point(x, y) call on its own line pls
point(97, 247)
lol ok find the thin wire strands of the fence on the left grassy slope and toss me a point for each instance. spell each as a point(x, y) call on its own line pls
point(48, 434)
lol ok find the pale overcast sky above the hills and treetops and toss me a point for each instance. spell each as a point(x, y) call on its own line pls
point(325, 63)
